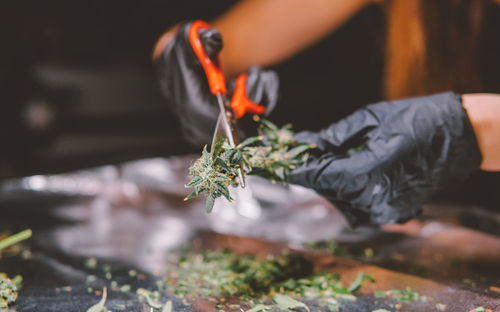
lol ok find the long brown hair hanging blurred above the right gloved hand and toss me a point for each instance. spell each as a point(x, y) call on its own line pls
point(432, 46)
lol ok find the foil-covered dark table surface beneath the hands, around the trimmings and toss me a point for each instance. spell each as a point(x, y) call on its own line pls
point(132, 217)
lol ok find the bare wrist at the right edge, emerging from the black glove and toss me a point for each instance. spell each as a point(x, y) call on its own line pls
point(484, 114)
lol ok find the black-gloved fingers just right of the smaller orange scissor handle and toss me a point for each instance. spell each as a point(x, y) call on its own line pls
point(262, 88)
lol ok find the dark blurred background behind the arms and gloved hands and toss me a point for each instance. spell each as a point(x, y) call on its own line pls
point(77, 87)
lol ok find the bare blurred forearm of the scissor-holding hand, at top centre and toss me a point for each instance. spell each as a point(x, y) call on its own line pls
point(265, 32)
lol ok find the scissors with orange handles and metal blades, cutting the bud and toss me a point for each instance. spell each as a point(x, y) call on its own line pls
point(229, 111)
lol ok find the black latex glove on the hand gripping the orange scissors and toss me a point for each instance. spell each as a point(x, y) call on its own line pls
point(185, 87)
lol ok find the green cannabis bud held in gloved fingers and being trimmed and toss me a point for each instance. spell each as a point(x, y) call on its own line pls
point(272, 154)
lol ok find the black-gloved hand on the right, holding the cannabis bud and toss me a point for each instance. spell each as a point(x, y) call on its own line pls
point(412, 148)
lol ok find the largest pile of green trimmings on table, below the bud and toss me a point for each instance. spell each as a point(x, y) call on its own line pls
point(222, 274)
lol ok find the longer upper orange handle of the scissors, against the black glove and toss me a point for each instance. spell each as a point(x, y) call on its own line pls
point(214, 73)
